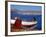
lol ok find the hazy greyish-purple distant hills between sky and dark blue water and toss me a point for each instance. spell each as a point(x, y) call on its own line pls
point(26, 12)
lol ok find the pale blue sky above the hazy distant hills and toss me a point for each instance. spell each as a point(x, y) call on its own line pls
point(26, 7)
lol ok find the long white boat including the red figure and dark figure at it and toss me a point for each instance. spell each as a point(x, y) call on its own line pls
point(25, 24)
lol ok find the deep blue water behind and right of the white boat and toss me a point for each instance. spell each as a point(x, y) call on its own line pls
point(29, 17)
